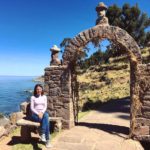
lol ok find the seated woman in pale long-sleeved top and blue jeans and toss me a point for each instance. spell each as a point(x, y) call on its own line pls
point(38, 108)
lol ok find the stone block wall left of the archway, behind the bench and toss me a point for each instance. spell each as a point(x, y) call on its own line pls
point(58, 90)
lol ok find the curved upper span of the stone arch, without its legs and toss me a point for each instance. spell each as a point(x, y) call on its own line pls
point(113, 33)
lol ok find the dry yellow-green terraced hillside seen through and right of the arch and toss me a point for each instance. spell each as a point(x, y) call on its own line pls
point(104, 82)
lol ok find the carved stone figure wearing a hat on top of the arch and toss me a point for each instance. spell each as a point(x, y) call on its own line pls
point(101, 9)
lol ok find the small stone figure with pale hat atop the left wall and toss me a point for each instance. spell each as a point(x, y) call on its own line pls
point(54, 56)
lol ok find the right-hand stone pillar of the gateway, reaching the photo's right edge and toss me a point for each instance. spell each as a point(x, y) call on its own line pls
point(140, 127)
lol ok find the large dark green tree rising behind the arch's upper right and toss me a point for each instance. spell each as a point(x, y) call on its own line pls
point(132, 20)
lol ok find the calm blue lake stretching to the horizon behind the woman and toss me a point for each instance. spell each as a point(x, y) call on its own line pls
point(13, 91)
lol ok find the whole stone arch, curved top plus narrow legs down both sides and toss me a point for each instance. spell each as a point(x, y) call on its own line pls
point(117, 36)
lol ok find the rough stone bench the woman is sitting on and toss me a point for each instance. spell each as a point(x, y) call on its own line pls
point(28, 126)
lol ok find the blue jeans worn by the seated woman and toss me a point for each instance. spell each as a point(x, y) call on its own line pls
point(44, 123)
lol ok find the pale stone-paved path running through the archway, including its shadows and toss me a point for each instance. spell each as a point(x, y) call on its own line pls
point(103, 129)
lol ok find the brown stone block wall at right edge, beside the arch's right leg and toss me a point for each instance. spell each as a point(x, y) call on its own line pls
point(142, 120)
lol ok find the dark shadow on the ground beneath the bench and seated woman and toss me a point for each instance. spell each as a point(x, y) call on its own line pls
point(17, 140)
